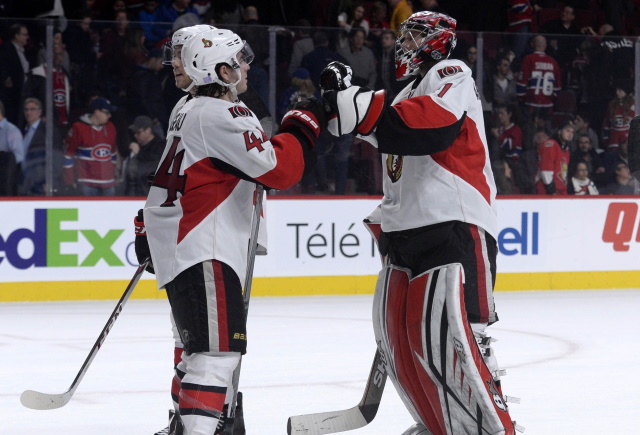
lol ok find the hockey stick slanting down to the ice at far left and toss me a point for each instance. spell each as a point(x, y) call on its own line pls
point(36, 400)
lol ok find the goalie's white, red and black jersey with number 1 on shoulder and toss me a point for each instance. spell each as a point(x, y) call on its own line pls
point(435, 155)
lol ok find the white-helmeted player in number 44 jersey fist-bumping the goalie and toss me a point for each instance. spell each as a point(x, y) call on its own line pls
point(198, 213)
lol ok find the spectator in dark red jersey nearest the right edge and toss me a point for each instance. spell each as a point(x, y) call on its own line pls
point(620, 112)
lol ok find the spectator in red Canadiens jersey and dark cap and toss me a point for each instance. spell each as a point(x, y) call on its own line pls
point(91, 152)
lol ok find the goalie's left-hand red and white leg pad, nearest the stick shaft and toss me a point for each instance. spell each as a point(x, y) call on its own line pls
point(390, 328)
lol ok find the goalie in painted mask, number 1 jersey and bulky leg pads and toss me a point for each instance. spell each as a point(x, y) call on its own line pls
point(434, 298)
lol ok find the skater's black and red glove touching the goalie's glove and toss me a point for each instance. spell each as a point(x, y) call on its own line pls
point(306, 117)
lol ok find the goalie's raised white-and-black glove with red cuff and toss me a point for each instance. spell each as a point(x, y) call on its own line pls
point(350, 109)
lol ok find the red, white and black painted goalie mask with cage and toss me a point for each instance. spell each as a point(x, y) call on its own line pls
point(423, 36)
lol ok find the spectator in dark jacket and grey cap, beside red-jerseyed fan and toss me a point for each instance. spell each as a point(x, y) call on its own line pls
point(145, 153)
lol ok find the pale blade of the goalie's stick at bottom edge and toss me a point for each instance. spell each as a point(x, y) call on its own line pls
point(326, 422)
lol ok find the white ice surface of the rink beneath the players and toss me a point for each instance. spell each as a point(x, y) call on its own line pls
point(571, 356)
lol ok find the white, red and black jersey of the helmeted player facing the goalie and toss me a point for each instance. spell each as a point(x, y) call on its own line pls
point(201, 201)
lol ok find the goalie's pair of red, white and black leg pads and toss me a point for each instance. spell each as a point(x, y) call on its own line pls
point(447, 385)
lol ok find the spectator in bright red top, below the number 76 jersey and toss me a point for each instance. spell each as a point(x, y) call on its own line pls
point(553, 162)
